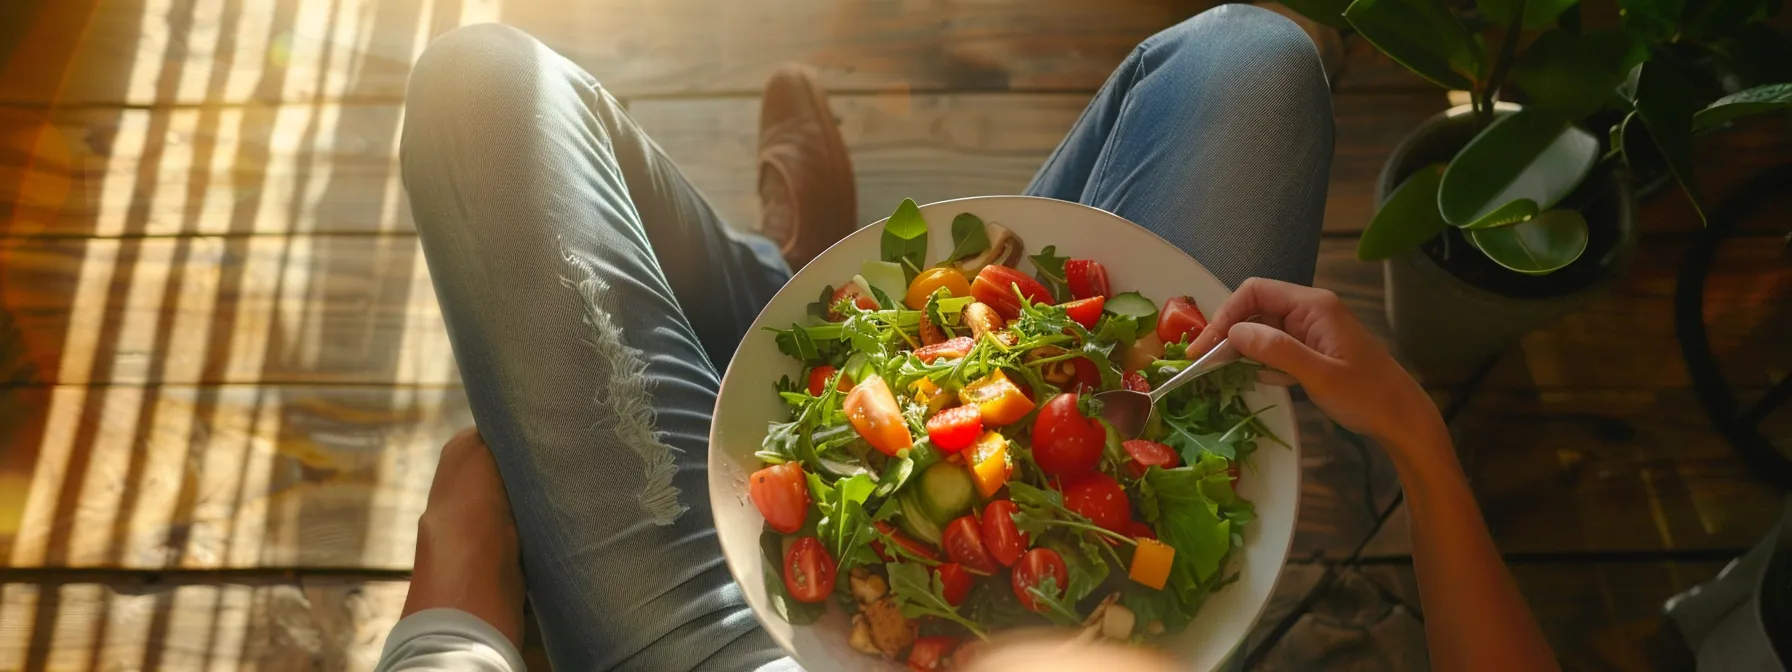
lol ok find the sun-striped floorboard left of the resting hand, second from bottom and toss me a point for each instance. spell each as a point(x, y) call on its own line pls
point(220, 478)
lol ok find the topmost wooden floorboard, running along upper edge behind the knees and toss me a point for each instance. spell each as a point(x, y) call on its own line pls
point(263, 51)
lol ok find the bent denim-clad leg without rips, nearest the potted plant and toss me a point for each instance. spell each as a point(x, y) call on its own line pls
point(1218, 137)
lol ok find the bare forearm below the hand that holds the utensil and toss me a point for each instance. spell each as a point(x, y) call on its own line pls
point(1476, 619)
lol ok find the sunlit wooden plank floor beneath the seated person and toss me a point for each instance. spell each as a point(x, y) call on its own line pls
point(225, 377)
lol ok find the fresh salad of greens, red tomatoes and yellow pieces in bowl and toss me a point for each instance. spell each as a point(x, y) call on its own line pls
point(945, 474)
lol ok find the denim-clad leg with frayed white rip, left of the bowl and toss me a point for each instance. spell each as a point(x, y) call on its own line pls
point(564, 246)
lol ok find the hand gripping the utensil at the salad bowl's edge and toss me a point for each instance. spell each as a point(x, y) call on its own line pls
point(1311, 336)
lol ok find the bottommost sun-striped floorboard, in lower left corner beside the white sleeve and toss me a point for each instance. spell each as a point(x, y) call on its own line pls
point(297, 625)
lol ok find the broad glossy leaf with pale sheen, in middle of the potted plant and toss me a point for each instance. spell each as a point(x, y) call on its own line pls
point(1528, 155)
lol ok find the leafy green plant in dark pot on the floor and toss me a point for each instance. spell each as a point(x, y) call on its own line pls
point(1501, 216)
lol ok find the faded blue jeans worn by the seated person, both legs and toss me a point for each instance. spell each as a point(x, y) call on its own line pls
point(592, 295)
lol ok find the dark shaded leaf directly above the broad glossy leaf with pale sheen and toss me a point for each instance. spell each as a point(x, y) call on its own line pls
point(1574, 74)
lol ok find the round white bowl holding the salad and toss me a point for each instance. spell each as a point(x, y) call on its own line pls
point(1137, 261)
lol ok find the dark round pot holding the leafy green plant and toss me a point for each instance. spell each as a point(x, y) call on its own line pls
point(1451, 307)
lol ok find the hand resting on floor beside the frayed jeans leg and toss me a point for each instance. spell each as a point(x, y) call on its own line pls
point(467, 542)
